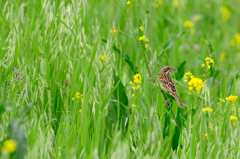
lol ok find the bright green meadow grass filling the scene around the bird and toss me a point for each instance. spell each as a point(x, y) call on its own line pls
point(53, 42)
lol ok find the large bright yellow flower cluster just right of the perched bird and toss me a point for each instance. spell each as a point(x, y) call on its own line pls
point(194, 82)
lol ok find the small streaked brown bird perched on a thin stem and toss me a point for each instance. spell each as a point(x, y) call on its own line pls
point(166, 83)
